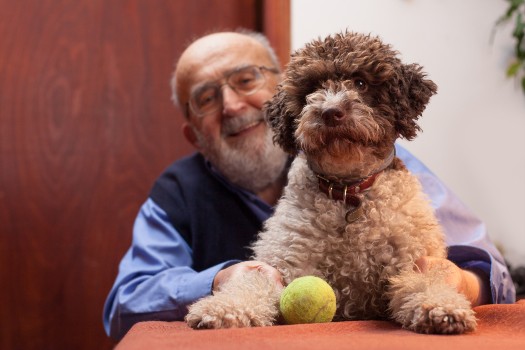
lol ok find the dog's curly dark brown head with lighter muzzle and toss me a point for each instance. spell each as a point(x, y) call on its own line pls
point(348, 90)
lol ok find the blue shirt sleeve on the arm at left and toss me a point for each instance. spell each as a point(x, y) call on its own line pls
point(155, 279)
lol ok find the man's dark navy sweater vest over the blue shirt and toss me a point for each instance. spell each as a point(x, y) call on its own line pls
point(211, 218)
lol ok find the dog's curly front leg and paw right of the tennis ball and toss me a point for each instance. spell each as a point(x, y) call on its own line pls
point(425, 303)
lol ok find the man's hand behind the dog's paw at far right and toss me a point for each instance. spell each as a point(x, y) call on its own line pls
point(470, 284)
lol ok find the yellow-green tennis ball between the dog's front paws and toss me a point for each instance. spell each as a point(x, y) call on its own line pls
point(307, 299)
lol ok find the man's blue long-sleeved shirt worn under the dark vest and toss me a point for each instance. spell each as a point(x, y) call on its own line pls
point(156, 281)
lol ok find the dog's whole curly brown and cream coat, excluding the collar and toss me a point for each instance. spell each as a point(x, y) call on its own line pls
point(341, 106)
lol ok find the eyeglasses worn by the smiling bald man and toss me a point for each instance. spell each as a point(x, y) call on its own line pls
point(245, 81)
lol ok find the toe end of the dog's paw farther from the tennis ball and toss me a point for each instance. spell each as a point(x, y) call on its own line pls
point(448, 319)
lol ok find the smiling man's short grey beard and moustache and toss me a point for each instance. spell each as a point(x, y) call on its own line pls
point(253, 163)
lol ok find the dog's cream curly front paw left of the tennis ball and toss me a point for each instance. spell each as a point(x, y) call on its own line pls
point(248, 299)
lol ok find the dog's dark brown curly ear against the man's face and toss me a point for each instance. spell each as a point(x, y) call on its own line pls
point(282, 121)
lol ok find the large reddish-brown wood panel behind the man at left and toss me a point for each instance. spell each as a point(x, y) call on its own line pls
point(86, 125)
